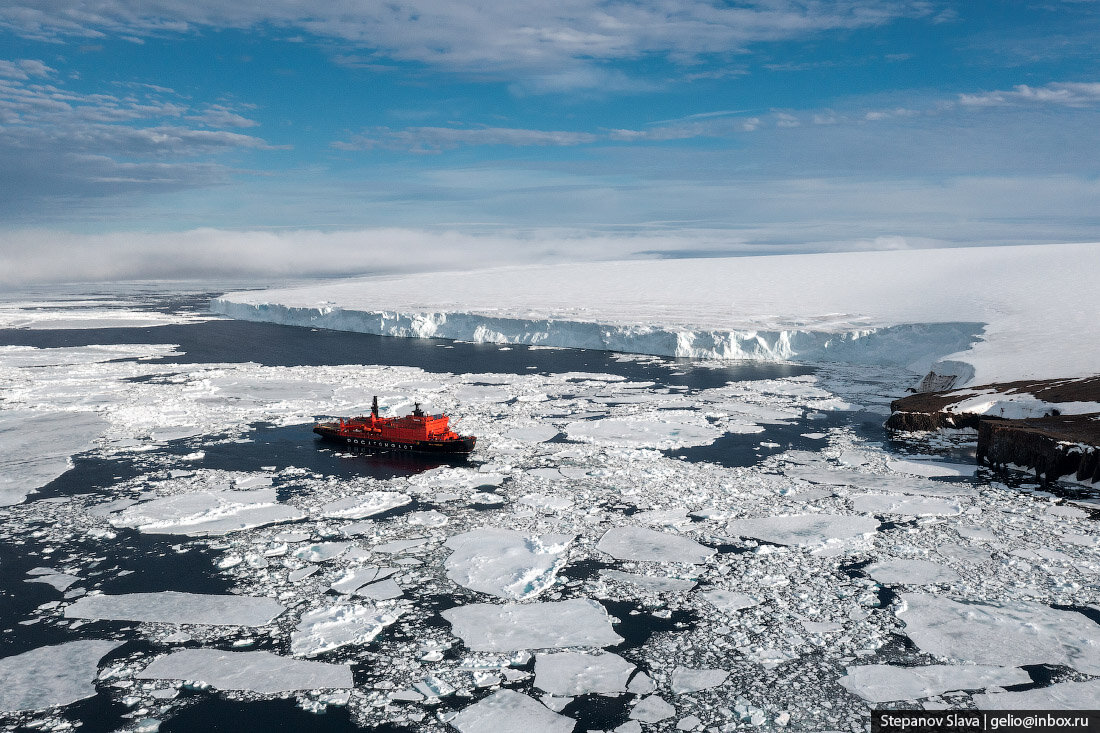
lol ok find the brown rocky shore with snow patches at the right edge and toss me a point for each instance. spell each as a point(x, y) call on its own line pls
point(1052, 444)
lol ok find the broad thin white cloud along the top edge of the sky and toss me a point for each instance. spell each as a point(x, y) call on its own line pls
point(556, 45)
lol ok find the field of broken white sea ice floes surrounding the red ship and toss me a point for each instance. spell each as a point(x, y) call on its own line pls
point(570, 561)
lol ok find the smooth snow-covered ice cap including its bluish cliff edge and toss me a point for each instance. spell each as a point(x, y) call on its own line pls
point(816, 308)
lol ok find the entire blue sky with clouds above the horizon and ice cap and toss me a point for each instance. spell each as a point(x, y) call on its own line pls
point(529, 132)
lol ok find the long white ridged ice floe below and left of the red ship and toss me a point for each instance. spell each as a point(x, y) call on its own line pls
point(207, 513)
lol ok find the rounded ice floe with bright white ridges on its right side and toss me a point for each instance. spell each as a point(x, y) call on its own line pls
point(504, 563)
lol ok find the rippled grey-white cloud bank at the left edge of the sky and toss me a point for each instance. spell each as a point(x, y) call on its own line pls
point(61, 144)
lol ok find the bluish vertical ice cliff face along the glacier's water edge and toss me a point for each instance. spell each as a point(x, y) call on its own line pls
point(915, 346)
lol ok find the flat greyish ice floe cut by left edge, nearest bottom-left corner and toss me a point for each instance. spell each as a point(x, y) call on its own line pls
point(51, 676)
